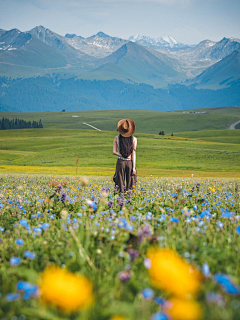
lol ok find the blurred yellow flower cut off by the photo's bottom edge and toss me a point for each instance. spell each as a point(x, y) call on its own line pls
point(178, 309)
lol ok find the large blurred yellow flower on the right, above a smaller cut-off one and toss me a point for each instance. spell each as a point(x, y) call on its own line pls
point(171, 273)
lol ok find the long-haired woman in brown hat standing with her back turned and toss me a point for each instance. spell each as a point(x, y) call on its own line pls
point(124, 146)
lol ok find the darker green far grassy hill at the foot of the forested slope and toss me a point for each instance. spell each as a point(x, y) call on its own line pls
point(146, 121)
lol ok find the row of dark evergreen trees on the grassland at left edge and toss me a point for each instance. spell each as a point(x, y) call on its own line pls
point(6, 124)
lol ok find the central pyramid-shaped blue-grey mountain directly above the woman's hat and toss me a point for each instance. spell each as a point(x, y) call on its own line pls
point(133, 62)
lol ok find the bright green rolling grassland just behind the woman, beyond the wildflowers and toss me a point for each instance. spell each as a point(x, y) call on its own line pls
point(50, 150)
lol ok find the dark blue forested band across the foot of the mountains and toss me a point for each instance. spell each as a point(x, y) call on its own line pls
point(52, 93)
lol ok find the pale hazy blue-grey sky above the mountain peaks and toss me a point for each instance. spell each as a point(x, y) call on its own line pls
point(188, 21)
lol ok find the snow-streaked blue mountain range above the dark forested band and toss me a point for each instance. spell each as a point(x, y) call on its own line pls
point(161, 63)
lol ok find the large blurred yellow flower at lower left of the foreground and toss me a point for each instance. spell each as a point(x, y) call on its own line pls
point(65, 290)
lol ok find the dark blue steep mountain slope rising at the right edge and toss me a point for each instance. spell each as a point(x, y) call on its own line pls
point(222, 74)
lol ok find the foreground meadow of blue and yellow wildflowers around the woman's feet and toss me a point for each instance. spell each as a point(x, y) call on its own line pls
point(75, 248)
